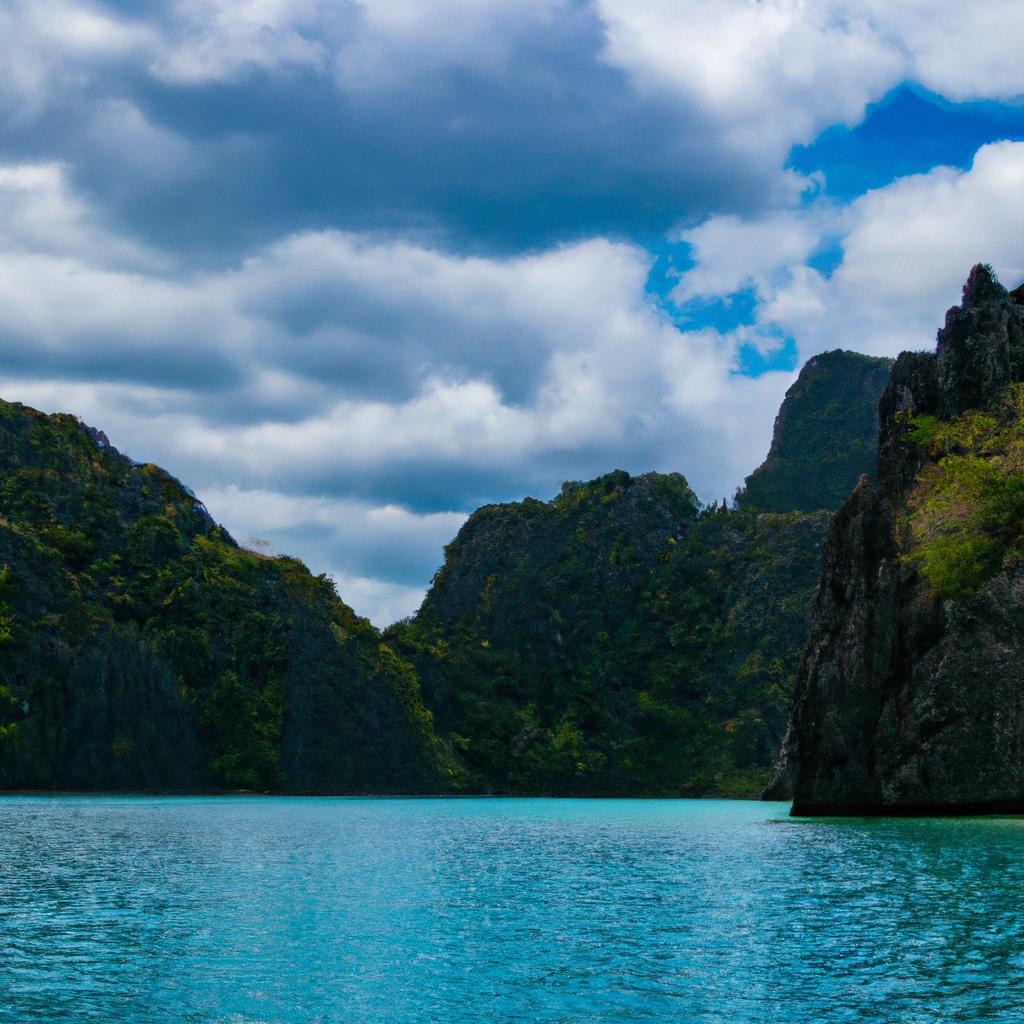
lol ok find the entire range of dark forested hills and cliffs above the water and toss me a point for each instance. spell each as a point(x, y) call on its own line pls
point(620, 639)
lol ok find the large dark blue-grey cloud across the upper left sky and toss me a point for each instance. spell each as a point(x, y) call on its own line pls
point(224, 126)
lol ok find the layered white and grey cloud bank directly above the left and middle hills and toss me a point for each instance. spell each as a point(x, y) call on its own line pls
point(519, 373)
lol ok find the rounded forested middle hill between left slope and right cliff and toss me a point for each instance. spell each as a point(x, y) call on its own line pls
point(617, 641)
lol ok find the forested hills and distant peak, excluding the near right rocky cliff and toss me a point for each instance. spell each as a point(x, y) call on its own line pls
point(618, 639)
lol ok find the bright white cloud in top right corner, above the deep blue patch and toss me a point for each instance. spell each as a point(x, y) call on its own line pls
point(777, 72)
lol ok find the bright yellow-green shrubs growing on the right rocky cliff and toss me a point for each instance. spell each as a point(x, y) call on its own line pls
point(966, 515)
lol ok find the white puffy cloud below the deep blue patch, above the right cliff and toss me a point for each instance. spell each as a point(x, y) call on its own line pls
point(907, 250)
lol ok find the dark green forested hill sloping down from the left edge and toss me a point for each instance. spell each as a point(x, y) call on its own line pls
point(142, 649)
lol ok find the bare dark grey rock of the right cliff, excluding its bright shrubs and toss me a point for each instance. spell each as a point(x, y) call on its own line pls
point(907, 704)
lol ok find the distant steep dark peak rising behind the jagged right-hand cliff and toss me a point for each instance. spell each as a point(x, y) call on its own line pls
point(826, 436)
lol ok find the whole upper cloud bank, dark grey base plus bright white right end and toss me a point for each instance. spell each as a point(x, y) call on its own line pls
point(208, 129)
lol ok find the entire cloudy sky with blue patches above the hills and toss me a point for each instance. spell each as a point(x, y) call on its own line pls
point(353, 269)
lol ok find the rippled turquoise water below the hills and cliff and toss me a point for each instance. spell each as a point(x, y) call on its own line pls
point(463, 911)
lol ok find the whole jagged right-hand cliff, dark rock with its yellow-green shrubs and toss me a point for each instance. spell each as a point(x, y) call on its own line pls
point(910, 698)
